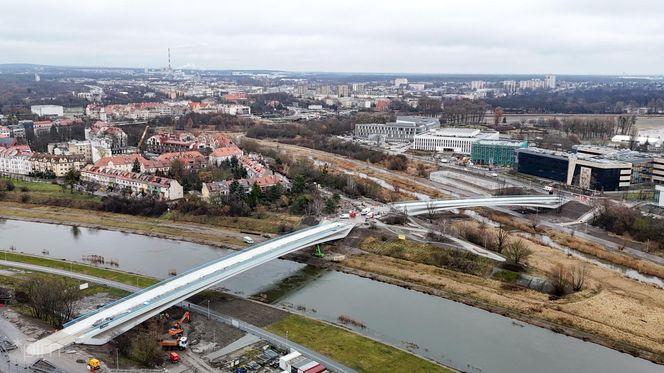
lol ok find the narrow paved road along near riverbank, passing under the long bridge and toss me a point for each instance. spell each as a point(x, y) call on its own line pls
point(272, 338)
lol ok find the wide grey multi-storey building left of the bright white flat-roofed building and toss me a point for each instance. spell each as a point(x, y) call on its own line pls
point(403, 130)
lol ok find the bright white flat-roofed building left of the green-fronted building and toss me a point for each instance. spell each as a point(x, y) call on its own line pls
point(457, 140)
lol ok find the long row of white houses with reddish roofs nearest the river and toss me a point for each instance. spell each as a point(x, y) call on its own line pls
point(139, 184)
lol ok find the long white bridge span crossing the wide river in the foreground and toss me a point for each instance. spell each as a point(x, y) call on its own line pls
point(104, 324)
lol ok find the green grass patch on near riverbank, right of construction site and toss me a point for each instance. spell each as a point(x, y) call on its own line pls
point(350, 349)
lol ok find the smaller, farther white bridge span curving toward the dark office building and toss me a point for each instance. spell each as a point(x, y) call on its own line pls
point(434, 206)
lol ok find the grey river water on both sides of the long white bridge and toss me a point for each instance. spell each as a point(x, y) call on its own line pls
point(467, 338)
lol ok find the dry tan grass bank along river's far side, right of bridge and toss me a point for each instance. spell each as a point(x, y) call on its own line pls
point(589, 315)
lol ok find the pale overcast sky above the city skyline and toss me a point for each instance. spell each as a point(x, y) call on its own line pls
point(416, 36)
